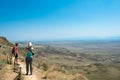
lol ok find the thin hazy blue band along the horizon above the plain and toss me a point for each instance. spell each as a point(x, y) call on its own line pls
point(113, 39)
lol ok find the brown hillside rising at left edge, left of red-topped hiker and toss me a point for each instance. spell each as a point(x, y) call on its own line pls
point(5, 50)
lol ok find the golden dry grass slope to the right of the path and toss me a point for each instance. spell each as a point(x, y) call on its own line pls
point(53, 72)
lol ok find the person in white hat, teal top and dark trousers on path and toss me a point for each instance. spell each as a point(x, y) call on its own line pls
point(29, 58)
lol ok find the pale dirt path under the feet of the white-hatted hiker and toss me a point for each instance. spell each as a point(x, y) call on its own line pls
point(27, 77)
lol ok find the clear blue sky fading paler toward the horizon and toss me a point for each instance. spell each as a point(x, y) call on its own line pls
point(59, 19)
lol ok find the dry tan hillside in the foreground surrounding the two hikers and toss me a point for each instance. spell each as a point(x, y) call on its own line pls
point(44, 70)
